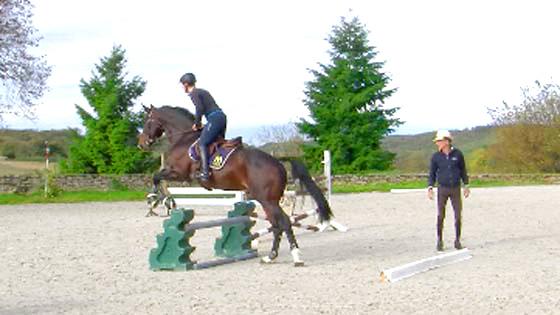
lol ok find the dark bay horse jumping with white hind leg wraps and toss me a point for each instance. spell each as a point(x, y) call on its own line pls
point(261, 176)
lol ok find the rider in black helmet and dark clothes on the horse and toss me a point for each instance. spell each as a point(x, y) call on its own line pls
point(216, 120)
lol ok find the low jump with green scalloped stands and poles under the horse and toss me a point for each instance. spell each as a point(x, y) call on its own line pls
point(173, 249)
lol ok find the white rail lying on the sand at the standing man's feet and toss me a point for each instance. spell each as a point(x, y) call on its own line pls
point(408, 270)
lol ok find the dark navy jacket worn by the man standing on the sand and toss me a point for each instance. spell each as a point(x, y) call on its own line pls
point(448, 170)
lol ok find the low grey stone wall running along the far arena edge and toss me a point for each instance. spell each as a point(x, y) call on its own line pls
point(24, 183)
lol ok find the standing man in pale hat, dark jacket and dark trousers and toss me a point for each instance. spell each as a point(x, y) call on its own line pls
point(448, 168)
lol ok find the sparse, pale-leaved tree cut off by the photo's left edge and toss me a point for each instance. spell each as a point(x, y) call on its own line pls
point(23, 76)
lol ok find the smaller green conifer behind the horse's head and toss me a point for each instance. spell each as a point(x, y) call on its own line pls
point(109, 144)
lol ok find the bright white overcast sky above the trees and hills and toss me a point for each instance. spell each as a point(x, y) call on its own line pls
point(450, 60)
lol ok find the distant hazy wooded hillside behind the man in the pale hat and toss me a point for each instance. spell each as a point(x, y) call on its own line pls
point(414, 151)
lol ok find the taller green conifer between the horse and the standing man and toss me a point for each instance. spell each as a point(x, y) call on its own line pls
point(345, 100)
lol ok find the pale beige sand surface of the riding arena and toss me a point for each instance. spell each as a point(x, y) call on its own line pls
point(92, 258)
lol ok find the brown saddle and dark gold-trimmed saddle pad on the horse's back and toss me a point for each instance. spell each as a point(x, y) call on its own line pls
point(219, 151)
